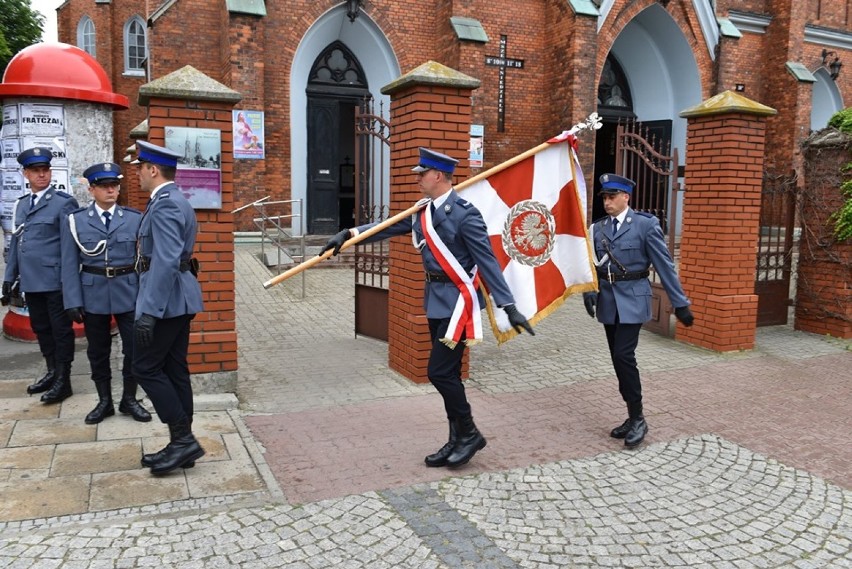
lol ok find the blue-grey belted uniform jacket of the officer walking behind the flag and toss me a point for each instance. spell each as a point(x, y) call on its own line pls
point(638, 244)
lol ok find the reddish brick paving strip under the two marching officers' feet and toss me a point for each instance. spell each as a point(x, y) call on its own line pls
point(798, 412)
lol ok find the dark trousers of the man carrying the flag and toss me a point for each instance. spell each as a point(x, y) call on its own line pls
point(444, 369)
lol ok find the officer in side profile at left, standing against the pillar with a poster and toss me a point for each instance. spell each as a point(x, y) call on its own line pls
point(169, 298)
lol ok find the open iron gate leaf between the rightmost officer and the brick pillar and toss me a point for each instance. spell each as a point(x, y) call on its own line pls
point(648, 159)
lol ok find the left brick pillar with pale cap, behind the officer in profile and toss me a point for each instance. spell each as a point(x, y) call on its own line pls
point(188, 98)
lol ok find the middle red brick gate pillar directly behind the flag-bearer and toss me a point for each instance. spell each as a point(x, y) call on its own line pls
point(430, 106)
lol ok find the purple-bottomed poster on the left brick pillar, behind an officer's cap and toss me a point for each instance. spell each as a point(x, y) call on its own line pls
point(199, 173)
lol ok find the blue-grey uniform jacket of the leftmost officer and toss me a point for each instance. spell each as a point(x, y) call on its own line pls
point(34, 252)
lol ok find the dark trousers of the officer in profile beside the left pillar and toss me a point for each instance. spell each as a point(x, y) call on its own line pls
point(162, 370)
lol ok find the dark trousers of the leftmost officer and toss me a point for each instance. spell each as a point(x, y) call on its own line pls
point(51, 325)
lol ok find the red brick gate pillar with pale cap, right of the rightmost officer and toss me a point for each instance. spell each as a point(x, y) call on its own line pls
point(721, 219)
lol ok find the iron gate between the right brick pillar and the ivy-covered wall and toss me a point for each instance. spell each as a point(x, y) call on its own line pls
point(775, 248)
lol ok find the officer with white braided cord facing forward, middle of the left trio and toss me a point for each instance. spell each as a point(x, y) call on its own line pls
point(100, 282)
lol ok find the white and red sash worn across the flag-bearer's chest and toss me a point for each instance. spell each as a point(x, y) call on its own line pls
point(466, 316)
